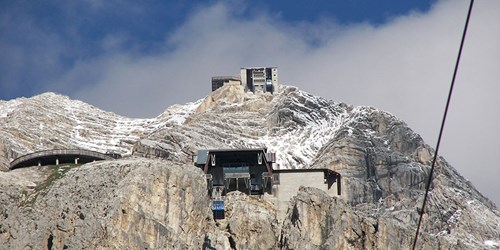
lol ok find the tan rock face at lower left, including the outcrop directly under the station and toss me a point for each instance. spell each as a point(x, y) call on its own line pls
point(130, 204)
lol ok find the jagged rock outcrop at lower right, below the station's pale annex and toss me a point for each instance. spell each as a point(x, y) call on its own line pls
point(317, 221)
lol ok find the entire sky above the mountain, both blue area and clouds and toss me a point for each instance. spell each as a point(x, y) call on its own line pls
point(138, 59)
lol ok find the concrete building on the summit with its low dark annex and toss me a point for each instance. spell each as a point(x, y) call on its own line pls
point(255, 79)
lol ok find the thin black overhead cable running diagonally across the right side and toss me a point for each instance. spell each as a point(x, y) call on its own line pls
point(429, 181)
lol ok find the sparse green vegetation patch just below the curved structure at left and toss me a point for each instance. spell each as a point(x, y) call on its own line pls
point(56, 172)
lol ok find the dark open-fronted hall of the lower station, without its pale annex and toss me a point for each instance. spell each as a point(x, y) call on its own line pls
point(245, 170)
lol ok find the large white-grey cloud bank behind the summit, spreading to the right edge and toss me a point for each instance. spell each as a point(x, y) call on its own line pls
point(404, 67)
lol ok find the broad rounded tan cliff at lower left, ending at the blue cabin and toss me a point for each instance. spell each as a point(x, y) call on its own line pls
point(123, 204)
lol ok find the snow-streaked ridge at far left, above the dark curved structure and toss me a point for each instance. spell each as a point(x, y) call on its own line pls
point(50, 121)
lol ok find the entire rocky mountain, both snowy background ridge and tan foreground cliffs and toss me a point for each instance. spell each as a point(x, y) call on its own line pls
point(147, 201)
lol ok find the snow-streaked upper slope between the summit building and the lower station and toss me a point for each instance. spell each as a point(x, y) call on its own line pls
point(292, 123)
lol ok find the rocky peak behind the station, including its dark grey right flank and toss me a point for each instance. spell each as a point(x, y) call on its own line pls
point(383, 163)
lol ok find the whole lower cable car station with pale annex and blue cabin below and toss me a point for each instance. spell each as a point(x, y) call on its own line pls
point(251, 171)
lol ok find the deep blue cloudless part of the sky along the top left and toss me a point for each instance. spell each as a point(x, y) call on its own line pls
point(81, 30)
